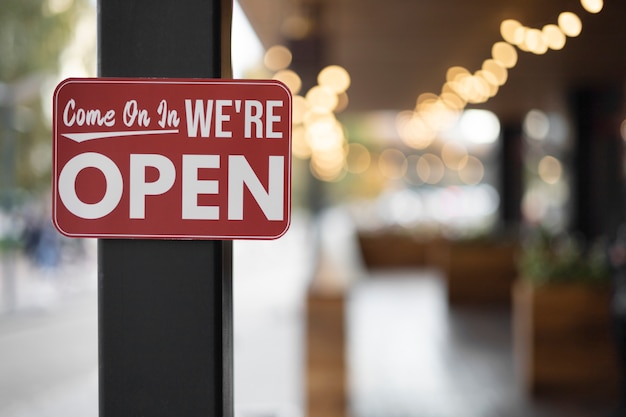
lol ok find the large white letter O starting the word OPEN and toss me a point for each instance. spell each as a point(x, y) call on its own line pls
point(114, 185)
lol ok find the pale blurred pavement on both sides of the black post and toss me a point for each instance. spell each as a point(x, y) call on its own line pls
point(48, 339)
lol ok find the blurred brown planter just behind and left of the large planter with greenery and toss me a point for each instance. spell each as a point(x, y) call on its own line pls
point(479, 273)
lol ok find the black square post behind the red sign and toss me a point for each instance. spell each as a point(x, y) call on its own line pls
point(165, 306)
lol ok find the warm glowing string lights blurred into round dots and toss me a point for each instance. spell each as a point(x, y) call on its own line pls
point(318, 135)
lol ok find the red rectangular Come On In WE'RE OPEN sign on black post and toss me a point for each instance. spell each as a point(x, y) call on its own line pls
point(172, 158)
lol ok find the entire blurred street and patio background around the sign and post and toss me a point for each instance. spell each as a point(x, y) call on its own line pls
point(457, 245)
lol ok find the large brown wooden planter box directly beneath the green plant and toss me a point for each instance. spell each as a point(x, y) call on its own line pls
point(563, 342)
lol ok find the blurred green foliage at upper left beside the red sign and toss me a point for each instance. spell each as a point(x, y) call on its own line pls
point(33, 34)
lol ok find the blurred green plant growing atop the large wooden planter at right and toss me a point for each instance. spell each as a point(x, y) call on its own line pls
point(547, 259)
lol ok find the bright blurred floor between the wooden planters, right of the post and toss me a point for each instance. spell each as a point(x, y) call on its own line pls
point(412, 356)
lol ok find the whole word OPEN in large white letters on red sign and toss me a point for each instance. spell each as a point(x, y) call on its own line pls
point(240, 174)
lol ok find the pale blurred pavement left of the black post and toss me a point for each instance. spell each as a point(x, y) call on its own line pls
point(48, 337)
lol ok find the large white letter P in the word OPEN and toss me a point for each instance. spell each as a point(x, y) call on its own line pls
point(139, 188)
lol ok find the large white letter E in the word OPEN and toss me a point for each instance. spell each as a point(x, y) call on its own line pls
point(192, 187)
